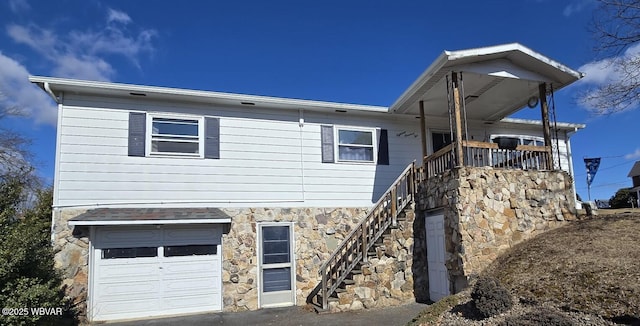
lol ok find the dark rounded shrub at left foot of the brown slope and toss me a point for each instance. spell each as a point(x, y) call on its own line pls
point(490, 297)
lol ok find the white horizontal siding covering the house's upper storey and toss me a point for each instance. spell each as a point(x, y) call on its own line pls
point(267, 158)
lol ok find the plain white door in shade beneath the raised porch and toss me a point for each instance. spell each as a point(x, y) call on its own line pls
point(436, 253)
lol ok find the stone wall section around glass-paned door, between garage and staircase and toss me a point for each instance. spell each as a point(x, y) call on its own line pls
point(318, 231)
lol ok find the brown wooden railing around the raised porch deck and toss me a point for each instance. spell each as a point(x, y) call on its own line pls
point(479, 154)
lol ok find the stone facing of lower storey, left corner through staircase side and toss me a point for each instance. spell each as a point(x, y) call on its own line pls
point(318, 231)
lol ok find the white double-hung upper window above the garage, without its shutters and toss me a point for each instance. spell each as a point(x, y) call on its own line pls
point(176, 136)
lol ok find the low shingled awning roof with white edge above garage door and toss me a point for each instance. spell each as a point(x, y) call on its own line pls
point(132, 216)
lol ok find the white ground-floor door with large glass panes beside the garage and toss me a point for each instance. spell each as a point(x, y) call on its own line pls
point(276, 265)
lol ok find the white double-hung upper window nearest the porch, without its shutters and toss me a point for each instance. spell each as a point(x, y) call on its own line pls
point(355, 145)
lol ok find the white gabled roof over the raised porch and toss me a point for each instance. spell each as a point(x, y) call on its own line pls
point(497, 81)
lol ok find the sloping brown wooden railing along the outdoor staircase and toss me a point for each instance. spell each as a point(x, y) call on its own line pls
point(353, 249)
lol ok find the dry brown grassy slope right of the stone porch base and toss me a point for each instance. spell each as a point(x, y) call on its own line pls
point(586, 273)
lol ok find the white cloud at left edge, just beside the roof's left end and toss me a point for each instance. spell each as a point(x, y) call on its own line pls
point(20, 93)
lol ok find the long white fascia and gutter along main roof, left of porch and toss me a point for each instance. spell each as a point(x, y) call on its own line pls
point(96, 86)
